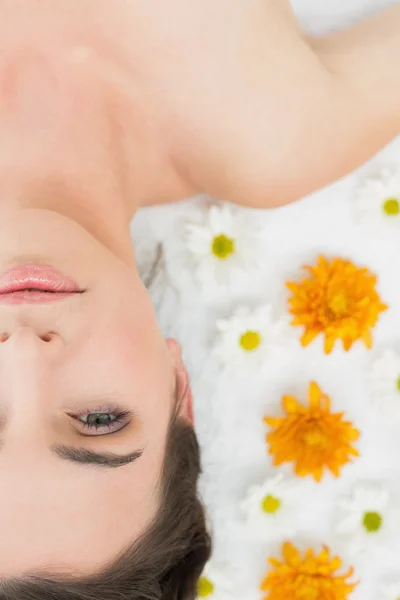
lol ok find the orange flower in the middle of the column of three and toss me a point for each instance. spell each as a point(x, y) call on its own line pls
point(312, 437)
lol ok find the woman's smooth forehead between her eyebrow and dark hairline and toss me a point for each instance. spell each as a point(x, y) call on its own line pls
point(72, 520)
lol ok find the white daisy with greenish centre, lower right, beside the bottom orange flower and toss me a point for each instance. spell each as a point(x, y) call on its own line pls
point(369, 519)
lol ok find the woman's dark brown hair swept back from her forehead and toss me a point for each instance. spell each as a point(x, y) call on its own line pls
point(165, 563)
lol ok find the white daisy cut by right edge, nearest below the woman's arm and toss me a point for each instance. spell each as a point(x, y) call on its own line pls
point(377, 200)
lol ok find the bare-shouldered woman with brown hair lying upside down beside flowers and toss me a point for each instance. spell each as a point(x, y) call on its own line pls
point(106, 107)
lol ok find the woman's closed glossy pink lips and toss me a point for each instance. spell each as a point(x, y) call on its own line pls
point(34, 284)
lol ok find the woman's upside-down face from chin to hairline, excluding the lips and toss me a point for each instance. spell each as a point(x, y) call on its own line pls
point(77, 488)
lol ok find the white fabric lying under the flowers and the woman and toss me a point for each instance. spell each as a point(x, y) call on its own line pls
point(229, 415)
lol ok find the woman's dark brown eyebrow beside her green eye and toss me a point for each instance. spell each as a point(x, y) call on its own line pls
point(107, 460)
